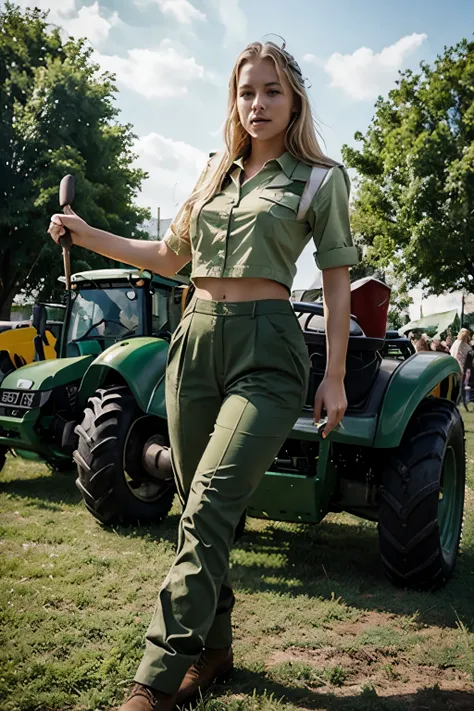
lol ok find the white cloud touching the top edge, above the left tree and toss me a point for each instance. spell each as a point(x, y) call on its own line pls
point(85, 22)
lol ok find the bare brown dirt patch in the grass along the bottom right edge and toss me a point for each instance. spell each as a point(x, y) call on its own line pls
point(389, 671)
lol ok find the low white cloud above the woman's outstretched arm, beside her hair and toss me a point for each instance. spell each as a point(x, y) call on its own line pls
point(174, 167)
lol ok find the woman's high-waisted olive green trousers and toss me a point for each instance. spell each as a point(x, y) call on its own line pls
point(236, 383)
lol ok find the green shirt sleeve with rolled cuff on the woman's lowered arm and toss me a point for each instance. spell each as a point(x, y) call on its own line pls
point(329, 220)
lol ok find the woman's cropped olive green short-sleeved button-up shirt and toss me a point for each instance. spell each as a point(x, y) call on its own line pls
point(251, 230)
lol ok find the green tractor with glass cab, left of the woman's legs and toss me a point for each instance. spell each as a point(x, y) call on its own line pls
point(102, 400)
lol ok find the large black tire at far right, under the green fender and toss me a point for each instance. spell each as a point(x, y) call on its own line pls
point(422, 499)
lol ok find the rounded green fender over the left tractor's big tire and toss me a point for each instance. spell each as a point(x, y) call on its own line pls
point(141, 363)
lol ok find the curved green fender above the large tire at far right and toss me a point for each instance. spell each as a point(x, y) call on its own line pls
point(423, 374)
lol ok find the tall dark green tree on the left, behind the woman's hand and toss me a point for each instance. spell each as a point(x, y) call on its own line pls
point(56, 117)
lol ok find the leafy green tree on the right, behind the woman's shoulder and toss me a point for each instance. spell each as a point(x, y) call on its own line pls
point(414, 207)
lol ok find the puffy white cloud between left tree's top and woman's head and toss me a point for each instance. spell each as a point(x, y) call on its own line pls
point(158, 73)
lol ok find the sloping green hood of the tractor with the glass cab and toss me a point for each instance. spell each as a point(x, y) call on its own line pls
point(47, 374)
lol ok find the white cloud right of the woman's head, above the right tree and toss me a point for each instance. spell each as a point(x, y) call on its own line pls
point(366, 74)
